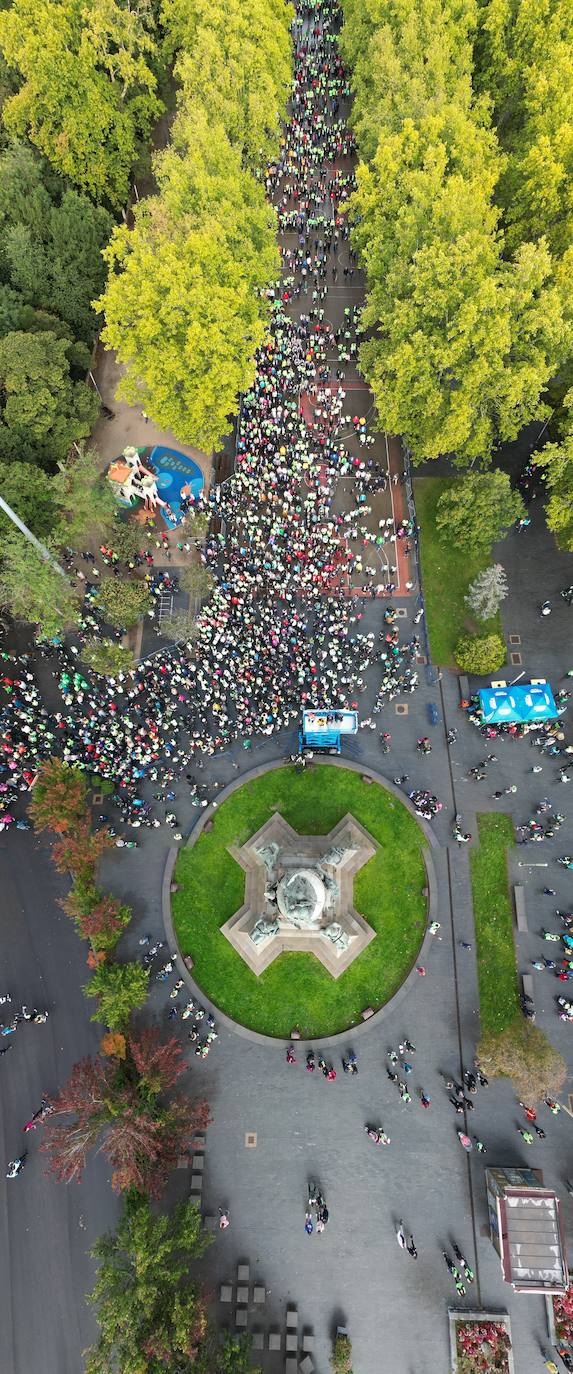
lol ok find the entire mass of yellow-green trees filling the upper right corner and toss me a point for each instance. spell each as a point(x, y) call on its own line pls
point(469, 308)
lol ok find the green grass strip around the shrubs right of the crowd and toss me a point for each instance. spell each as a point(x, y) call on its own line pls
point(447, 572)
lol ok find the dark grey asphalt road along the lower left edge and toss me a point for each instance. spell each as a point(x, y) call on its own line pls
point(47, 1228)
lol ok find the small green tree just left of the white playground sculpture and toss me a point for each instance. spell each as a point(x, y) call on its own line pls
point(85, 498)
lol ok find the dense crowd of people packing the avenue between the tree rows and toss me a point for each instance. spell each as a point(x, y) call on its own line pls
point(280, 633)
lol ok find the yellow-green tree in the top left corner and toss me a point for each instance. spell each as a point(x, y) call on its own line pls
point(87, 87)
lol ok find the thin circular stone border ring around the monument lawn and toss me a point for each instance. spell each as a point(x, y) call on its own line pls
point(256, 1037)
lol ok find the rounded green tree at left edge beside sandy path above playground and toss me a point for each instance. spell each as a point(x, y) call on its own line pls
point(38, 398)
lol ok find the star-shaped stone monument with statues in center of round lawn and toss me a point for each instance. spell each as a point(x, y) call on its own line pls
point(299, 895)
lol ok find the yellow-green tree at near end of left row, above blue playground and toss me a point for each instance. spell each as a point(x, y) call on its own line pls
point(186, 303)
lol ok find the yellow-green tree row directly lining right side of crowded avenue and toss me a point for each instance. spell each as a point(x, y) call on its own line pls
point(464, 336)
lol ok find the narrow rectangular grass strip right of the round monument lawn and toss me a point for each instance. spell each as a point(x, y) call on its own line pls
point(494, 924)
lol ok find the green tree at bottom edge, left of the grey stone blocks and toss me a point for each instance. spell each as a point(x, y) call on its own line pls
point(150, 1314)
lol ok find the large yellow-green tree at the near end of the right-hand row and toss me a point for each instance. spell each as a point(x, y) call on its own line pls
point(461, 344)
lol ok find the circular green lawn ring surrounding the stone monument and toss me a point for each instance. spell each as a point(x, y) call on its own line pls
point(296, 990)
